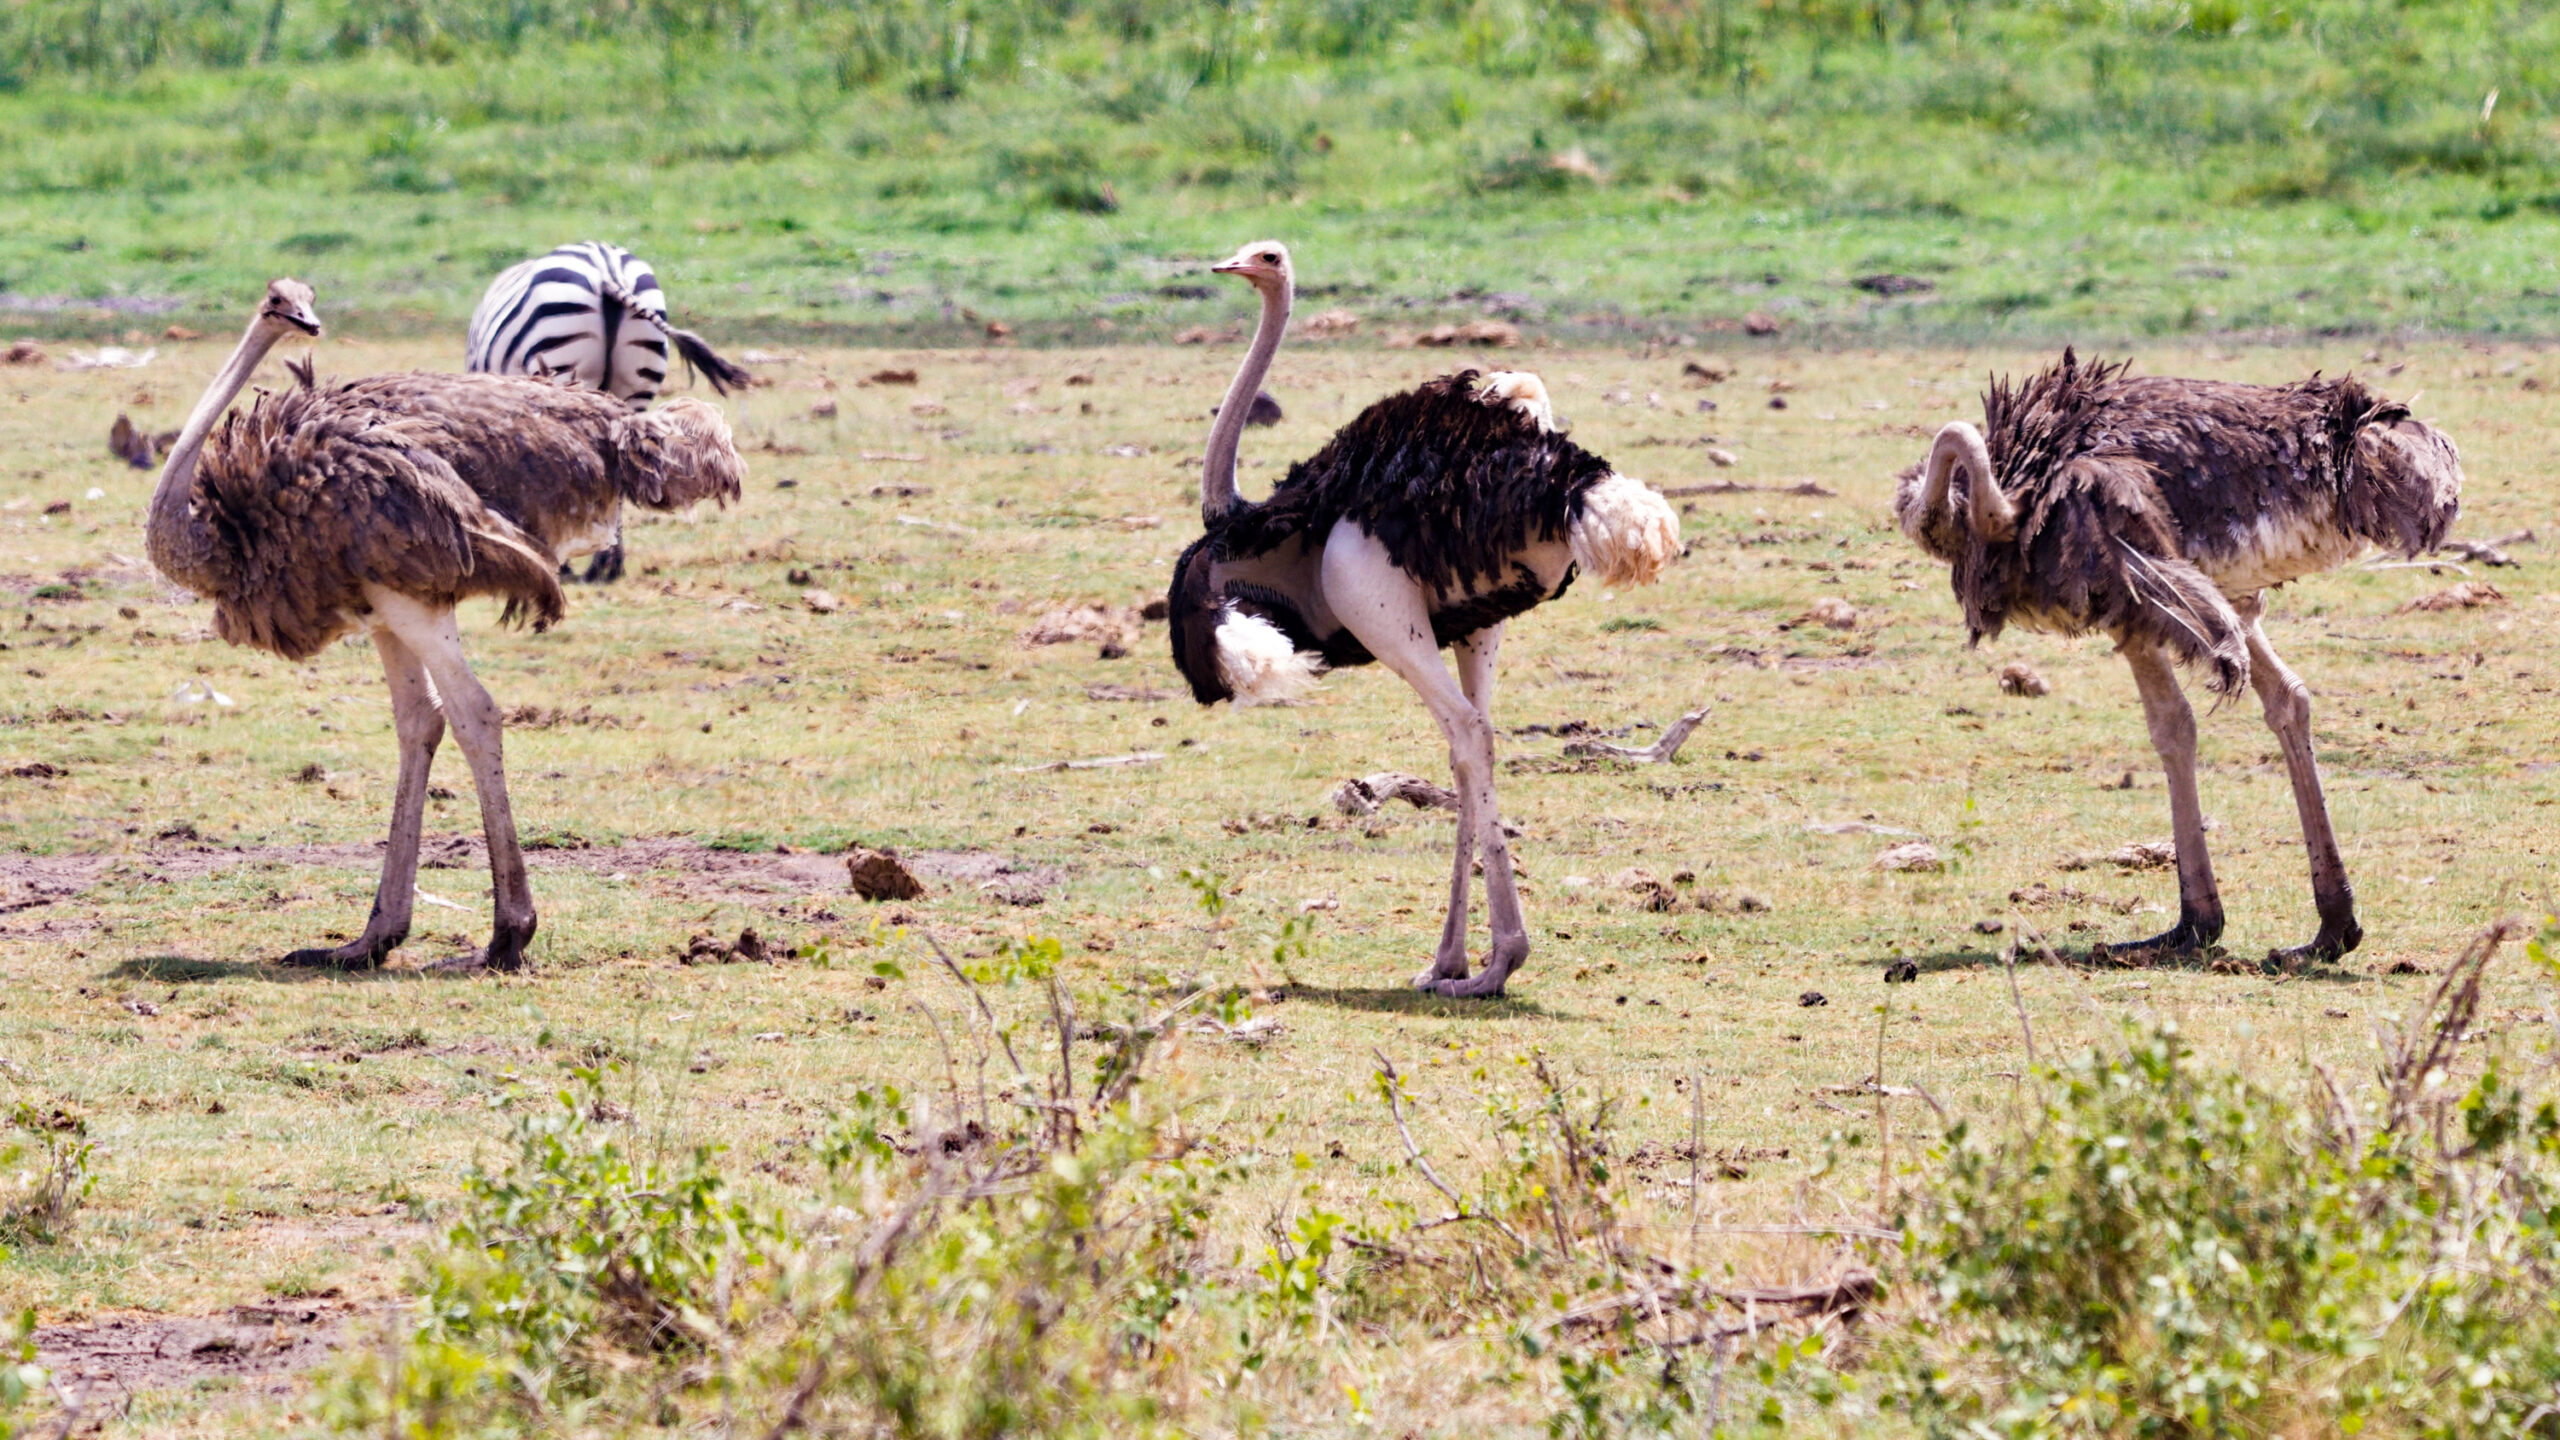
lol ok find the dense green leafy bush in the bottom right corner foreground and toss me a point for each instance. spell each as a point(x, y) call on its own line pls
point(2167, 1249)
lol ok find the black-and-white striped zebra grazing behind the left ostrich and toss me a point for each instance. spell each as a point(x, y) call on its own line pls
point(590, 314)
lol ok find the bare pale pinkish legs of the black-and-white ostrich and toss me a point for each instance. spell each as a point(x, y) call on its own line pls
point(1389, 611)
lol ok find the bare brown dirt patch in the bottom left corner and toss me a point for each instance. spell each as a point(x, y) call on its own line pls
point(104, 1364)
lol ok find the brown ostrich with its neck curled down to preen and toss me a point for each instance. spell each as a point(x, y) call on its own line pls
point(2159, 511)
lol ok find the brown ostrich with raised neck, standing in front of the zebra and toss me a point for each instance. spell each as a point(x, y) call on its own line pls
point(383, 503)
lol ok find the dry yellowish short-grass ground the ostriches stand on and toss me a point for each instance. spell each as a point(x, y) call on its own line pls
point(260, 1129)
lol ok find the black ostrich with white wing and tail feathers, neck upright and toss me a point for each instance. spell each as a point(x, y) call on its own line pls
point(1427, 521)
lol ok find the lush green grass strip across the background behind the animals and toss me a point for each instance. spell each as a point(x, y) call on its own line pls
point(910, 173)
